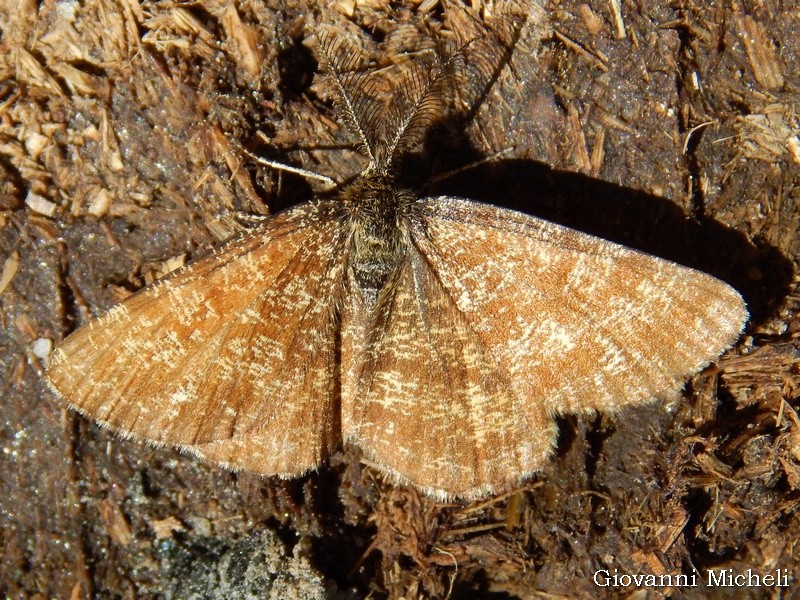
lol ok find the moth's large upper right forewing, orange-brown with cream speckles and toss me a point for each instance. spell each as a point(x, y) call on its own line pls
point(578, 323)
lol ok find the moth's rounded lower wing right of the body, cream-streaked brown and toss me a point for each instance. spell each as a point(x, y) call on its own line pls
point(431, 403)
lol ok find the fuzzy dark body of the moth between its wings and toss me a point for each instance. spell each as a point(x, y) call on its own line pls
point(379, 212)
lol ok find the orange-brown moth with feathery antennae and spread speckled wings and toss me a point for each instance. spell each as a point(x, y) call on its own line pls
point(438, 334)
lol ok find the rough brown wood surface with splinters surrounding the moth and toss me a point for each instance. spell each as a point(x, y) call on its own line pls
point(670, 129)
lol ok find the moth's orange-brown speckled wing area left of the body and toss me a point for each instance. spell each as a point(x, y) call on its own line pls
point(240, 369)
